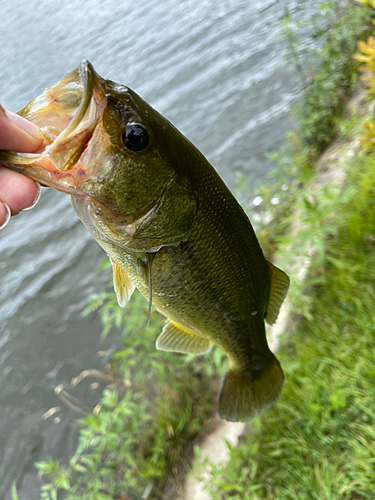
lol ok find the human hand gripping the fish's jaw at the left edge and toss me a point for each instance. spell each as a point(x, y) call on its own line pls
point(17, 192)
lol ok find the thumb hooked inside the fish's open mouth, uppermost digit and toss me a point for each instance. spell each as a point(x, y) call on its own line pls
point(18, 134)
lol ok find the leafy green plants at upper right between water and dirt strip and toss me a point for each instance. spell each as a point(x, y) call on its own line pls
point(326, 89)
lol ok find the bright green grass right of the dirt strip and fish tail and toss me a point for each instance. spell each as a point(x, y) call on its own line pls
point(318, 442)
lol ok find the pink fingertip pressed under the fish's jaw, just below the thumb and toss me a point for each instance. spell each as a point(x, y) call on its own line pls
point(17, 191)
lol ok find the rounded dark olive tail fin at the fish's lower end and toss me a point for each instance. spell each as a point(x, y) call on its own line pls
point(245, 393)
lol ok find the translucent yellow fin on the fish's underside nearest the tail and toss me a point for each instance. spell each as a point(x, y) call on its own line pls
point(175, 337)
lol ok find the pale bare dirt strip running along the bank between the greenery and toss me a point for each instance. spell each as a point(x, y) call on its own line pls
point(330, 170)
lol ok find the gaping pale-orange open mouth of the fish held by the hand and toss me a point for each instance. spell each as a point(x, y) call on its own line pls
point(67, 114)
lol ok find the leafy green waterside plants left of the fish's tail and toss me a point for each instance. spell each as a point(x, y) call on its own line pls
point(140, 438)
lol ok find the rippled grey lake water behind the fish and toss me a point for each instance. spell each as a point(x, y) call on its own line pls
point(215, 70)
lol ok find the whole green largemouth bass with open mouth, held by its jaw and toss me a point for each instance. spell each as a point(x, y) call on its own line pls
point(169, 224)
